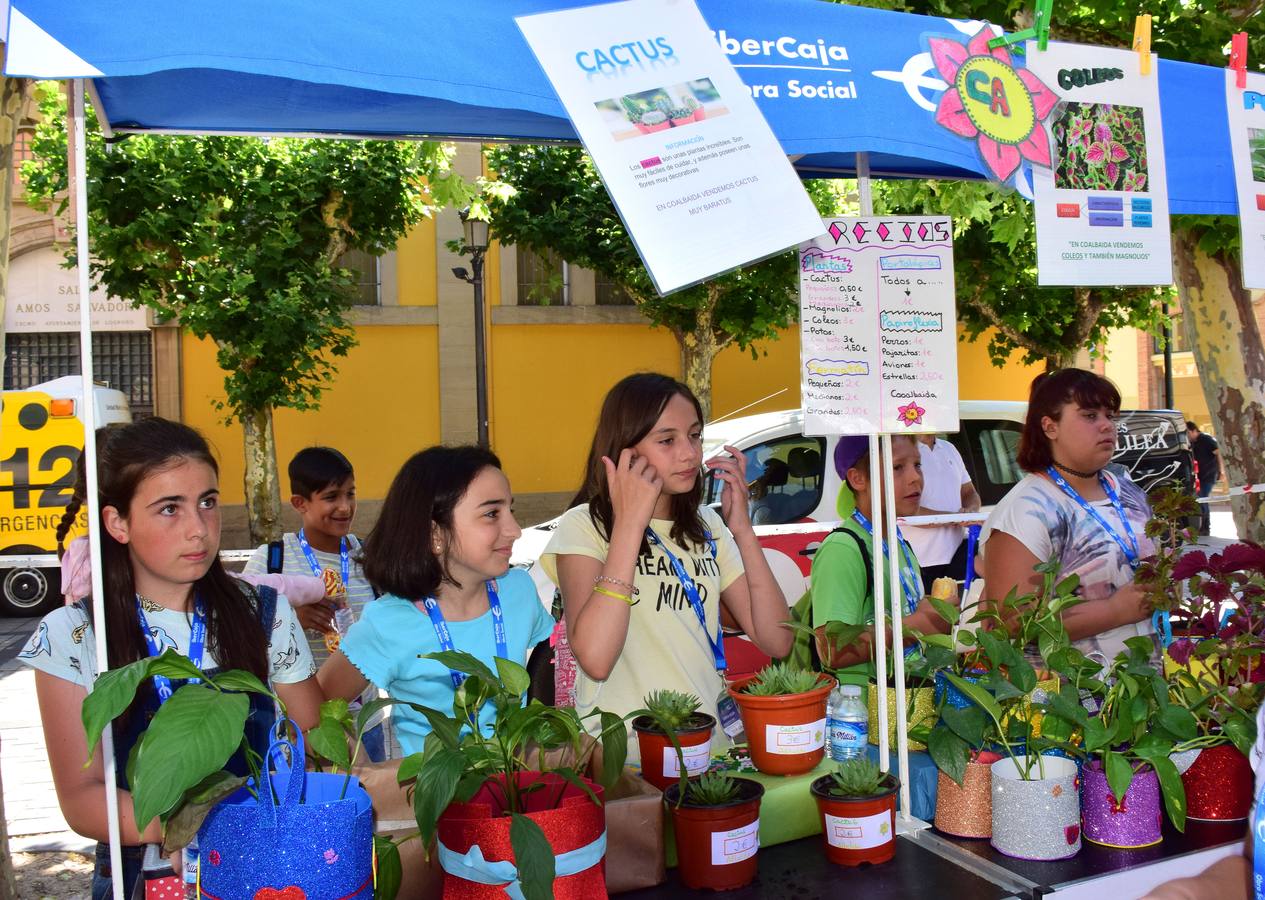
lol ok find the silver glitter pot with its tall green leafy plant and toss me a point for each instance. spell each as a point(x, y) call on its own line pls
point(1035, 796)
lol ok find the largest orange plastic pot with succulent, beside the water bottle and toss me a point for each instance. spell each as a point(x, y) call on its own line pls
point(784, 713)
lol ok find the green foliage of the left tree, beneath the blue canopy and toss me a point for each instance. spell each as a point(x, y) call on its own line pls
point(240, 239)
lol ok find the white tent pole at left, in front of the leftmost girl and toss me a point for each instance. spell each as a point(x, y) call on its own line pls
point(88, 415)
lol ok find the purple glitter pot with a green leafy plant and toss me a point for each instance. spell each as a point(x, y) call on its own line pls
point(1129, 745)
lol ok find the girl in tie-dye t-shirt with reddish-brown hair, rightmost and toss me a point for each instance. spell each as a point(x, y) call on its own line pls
point(1072, 509)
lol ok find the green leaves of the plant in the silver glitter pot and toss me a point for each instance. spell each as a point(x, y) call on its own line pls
point(1004, 713)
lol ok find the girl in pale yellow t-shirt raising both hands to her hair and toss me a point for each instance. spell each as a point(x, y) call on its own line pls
point(633, 622)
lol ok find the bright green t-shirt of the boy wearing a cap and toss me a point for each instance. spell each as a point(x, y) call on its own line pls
point(839, 588)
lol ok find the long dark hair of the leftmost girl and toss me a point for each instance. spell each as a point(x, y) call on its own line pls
point(127, 454)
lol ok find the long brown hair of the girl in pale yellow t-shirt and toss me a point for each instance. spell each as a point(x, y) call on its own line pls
point(631, 411)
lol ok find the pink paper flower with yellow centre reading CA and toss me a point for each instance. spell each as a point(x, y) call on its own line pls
point(995, 104)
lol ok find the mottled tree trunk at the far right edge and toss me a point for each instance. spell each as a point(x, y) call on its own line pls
point(1221, 330)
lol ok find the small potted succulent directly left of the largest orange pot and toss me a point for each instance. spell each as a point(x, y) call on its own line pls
point(674, 735)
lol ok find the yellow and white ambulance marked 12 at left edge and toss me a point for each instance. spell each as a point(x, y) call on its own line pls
point(41, 442)
